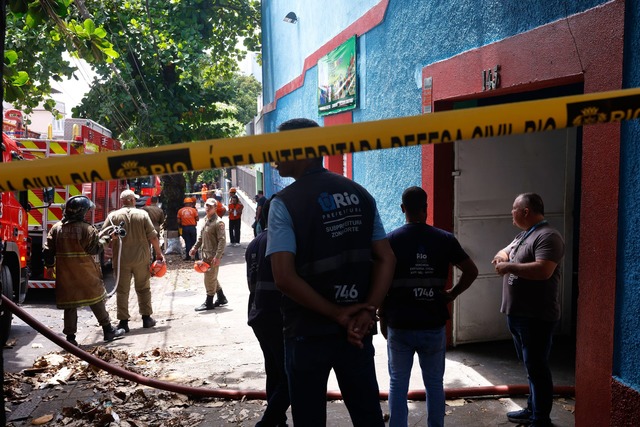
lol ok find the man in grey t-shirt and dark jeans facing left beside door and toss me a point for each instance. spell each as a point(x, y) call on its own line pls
point(530, 267)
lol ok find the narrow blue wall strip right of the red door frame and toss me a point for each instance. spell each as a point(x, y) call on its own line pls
point(627, 328)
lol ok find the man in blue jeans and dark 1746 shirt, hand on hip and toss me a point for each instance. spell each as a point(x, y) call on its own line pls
point(415, 311)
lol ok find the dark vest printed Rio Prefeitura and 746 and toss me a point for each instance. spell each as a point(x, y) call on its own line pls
point(333, 223)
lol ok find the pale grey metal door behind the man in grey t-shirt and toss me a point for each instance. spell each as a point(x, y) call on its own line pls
point(490, 173)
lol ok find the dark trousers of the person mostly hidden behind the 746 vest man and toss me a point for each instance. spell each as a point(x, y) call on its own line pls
point(269, 335)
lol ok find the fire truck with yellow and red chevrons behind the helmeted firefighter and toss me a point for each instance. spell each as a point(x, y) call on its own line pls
point(44, 205)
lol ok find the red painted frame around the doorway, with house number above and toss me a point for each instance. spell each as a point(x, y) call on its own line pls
point(544, 57)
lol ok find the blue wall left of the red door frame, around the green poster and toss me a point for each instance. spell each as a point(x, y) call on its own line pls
point(413, 34)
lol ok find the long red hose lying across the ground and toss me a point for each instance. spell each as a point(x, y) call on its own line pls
point(500, 390)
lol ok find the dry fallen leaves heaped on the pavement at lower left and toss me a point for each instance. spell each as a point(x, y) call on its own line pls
point(108, 399)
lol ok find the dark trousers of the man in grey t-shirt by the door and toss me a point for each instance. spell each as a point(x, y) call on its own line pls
point(532, 339)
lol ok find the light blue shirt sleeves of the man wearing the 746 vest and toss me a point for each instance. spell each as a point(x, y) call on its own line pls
point(282, 238)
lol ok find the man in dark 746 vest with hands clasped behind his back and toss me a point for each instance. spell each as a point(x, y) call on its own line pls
point(331, 258)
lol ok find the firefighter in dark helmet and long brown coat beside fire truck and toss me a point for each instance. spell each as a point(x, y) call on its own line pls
point(71, 244)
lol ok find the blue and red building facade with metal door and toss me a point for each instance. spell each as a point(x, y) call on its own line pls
point(414, 57)
